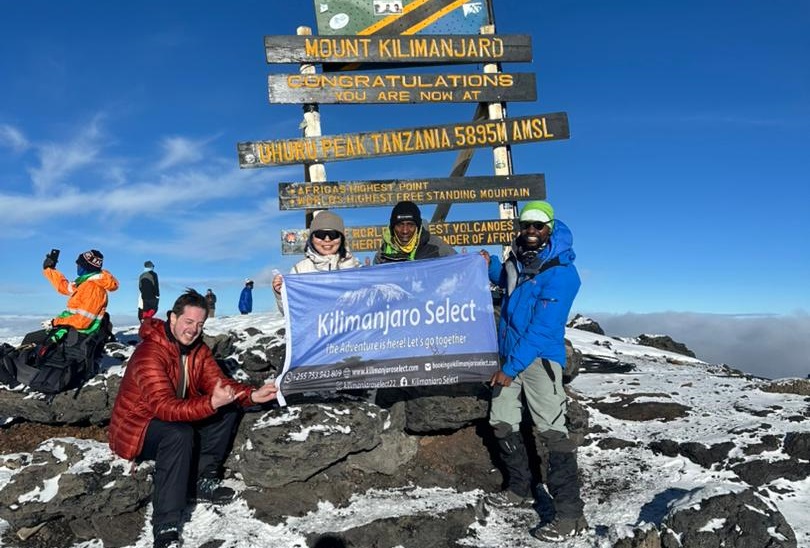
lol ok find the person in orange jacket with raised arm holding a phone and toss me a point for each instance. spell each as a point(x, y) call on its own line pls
point(87, 302)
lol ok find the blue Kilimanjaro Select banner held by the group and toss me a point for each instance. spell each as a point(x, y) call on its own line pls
point(416, 323)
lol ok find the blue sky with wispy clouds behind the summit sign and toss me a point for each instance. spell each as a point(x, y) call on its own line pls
point(685, 180)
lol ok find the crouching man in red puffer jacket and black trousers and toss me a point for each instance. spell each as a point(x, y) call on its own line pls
point(172, 393)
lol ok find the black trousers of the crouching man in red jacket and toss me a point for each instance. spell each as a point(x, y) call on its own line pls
point(183, 451)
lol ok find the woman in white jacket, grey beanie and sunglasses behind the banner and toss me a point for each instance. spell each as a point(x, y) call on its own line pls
point(326, 250)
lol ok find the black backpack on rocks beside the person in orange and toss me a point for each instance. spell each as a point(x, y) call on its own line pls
point(55, 366)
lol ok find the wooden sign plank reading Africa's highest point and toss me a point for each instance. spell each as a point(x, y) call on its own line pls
point(342, 194)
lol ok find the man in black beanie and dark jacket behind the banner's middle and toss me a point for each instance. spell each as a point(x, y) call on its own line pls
point(407, 239)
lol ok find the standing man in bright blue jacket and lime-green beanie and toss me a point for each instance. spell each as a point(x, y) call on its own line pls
point(540, 283)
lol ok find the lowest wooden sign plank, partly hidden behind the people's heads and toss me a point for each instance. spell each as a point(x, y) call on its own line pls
point(364, 239)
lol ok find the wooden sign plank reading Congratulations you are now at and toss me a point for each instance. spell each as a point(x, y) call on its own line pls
point(353, 88)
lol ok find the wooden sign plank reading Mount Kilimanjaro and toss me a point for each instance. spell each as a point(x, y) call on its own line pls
point(456, 49)
